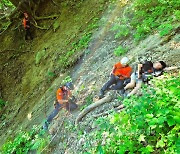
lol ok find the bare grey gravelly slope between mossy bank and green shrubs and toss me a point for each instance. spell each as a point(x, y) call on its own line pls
point(93, 71)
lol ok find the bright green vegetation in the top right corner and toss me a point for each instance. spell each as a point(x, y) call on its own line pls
point(148, 16)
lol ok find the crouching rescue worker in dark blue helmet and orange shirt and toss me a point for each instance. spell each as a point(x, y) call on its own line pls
point(64, 99)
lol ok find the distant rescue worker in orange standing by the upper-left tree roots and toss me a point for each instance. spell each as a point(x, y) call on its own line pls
point(26, 24)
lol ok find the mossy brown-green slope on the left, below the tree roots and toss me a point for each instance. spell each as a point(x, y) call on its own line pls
point(28, 68)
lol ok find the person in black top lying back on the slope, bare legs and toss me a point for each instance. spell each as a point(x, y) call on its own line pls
point(143, 74)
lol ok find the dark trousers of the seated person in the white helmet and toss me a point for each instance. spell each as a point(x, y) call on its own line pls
point(114, 82)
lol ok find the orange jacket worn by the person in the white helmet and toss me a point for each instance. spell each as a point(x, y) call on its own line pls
point(122, 72)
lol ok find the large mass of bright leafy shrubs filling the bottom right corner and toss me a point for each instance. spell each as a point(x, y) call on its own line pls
point(150, 123)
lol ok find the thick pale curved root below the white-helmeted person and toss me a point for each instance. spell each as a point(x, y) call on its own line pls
point(91, 107)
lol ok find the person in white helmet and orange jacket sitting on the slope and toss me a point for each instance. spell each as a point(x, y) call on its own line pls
point(121, 71)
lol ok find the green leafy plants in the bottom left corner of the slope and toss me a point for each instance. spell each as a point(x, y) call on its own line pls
point(25, 142)
